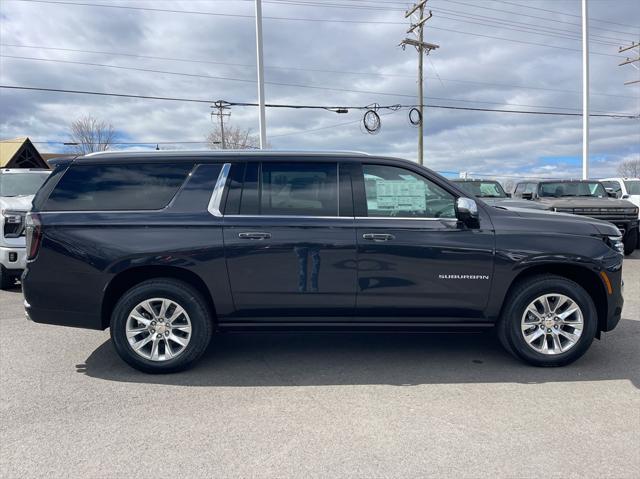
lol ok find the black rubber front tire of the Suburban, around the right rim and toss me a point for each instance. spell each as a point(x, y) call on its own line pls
point(509, 325)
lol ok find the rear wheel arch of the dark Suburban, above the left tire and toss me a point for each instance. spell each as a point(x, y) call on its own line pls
point(125, 280)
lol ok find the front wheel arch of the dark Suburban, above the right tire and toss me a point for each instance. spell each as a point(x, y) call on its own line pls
point(585, 277)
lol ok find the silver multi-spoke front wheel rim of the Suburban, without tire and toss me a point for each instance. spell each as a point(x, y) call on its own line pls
point(552, 324)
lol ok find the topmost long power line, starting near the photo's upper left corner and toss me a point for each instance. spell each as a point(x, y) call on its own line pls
point(365, 22)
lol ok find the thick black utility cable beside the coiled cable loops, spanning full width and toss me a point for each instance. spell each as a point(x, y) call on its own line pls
point(446, 107)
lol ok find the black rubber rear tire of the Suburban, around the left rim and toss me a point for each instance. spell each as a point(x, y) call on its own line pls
point(184, 295)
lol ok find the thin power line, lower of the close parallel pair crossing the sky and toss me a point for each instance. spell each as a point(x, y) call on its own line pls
point(295, 85)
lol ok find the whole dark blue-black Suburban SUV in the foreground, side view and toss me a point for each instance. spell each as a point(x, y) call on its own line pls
point(167, 248)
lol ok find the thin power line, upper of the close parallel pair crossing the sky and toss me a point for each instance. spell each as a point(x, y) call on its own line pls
point(341, 72)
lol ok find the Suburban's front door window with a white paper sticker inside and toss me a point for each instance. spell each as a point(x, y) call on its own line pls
point(396, 192)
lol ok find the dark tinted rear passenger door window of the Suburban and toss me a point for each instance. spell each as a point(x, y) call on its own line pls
point(301, 189)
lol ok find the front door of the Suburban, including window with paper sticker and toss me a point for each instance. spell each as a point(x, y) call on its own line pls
point(415, 259)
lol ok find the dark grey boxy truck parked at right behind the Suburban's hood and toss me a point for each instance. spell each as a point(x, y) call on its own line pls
point(587, 198)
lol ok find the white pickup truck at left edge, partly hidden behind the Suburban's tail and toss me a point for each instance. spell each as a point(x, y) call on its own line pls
point(17, 188)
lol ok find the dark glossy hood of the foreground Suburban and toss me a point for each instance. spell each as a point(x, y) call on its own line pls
point(552, 222)
